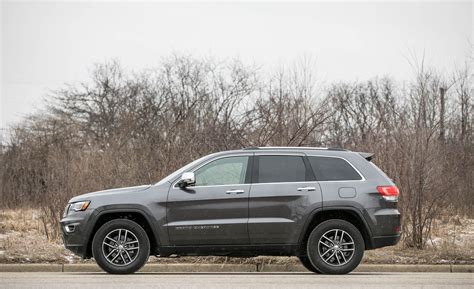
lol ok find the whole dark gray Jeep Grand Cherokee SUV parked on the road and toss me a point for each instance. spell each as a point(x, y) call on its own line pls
point(324, 205)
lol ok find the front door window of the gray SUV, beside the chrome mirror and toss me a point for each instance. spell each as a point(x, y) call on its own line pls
point(225, 171)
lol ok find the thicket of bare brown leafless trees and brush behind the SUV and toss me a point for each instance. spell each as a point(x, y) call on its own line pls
point(122, 128)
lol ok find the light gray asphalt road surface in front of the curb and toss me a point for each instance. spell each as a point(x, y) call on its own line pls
point(236, 280)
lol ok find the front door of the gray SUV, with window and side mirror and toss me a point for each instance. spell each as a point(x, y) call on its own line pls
point(215, 209)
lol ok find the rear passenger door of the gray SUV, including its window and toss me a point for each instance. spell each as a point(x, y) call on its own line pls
point(283, 191)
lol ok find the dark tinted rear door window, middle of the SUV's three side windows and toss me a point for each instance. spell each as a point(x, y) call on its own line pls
point(276, 169)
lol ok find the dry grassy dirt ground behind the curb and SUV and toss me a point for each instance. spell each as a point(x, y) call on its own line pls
point(23, 240)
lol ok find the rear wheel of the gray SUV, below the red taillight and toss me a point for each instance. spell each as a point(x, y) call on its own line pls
point(335, 254)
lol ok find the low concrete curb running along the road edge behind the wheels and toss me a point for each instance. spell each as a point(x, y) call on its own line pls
point(185, 268)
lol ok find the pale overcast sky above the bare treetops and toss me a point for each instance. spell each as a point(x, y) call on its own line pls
point(47, 44)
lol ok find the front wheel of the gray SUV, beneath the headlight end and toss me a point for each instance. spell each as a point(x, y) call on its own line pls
point(122, 264)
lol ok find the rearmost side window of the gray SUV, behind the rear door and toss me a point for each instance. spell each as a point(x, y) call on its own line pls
point(333, 169)
